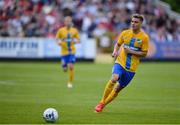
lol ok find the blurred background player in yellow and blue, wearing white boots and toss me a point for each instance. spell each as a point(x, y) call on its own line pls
point(67, 37)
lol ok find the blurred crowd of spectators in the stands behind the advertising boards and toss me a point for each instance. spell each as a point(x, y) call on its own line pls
point(42, 18)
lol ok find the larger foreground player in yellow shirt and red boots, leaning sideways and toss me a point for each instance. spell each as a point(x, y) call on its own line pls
point(132, 44)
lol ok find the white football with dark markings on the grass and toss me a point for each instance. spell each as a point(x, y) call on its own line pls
point(50, 115)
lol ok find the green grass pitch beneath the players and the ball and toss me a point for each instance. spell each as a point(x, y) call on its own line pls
point(27, 89)
